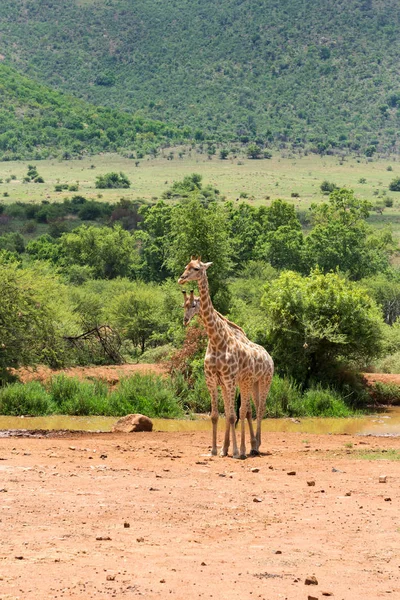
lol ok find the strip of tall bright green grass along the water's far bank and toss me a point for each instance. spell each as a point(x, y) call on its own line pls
point(155, 396)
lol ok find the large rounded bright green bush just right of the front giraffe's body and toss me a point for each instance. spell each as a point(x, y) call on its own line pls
point(316, 323)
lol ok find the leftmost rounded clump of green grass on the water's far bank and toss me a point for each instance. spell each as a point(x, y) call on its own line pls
point(19, 399)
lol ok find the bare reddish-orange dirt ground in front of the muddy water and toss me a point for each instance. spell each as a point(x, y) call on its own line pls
point(153, 516)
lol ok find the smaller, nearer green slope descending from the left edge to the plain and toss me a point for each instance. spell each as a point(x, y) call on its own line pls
point(37, 122)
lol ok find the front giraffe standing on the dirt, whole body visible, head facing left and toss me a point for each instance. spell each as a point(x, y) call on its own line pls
point(231, 360)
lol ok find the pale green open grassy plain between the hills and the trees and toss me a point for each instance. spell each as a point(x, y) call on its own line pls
point(261, 181)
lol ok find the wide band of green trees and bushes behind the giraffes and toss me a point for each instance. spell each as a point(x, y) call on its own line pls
point(100, 285)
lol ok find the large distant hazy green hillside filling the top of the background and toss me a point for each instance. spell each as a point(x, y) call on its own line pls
point(318, 74)
